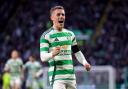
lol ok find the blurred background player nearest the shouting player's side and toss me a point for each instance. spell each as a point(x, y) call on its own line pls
point(34, 72)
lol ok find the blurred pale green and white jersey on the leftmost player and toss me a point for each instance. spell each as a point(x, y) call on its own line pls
point(14, 67)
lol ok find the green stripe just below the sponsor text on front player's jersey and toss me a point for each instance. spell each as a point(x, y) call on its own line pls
point(61, 62)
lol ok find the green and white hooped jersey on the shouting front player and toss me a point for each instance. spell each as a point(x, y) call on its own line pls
point(61, 67)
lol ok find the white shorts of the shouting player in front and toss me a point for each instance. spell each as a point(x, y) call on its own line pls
point(64, 84)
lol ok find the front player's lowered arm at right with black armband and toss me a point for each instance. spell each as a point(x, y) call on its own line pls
point(79, 55)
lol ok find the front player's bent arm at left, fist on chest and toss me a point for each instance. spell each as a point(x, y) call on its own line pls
point(45, 55)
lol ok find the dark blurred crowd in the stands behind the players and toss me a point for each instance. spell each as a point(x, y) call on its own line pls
point(31, 19)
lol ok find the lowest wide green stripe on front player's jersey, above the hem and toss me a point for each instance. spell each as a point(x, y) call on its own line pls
point(61, 72)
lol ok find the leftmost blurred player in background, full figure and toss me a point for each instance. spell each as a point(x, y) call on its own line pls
point(15, 67)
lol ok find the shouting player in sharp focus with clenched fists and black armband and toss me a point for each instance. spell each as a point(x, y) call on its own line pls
point(56, 47)
